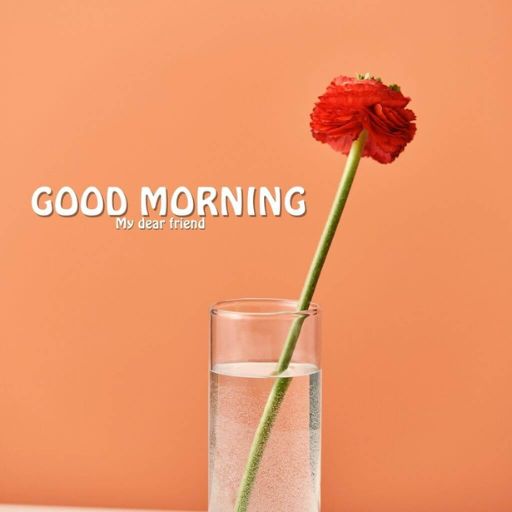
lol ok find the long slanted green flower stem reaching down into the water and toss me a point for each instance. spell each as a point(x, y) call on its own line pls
point(281, 384)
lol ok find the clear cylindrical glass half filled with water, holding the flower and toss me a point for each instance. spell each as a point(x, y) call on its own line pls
point(246, 339)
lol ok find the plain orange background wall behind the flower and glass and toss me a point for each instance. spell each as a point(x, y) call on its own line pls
point(104, 334)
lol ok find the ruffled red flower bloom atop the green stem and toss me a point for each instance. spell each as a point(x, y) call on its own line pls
point(352, 104)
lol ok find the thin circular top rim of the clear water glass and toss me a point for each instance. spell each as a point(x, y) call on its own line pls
point(222, 308)
